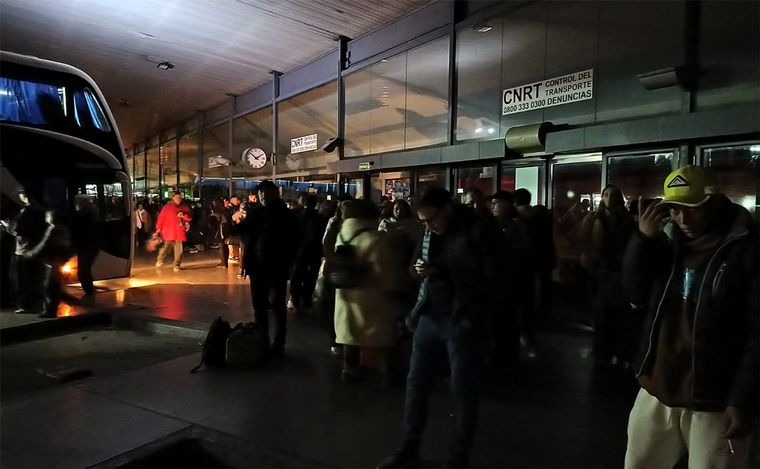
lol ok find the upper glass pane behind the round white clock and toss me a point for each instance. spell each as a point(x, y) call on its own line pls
point(253, 130)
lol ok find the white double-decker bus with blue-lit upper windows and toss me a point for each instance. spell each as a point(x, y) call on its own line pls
point(59, 141)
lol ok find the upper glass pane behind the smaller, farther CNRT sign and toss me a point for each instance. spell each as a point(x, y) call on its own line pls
point(312, 112)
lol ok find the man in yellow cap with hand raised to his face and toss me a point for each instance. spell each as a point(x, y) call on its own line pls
point(695, 281)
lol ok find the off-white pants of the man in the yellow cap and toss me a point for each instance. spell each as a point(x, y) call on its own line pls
point(659, 435)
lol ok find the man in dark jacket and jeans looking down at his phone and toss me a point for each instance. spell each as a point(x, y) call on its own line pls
point(456, 264)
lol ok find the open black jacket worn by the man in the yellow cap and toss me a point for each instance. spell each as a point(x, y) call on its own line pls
point(725, 335)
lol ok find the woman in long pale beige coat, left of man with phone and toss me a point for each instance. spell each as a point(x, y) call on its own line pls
point(368, 315)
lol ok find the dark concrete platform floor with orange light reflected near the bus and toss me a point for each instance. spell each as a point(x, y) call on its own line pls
point(556, 411)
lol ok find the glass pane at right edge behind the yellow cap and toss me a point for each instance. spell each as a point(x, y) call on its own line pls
point(737, 171)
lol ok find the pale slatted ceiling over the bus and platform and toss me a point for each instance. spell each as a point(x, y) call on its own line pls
point(218, 47)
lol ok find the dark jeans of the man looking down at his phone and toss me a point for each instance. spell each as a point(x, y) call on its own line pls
point(434, 335)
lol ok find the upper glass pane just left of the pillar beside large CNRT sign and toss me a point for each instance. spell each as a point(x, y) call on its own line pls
point(427, 94)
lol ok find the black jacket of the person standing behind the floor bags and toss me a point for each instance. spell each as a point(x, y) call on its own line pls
point(271, 235)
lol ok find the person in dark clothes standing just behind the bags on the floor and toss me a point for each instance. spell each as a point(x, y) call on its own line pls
point(269, 232)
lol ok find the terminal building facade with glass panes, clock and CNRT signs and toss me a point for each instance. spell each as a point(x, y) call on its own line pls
point(560, 98)
